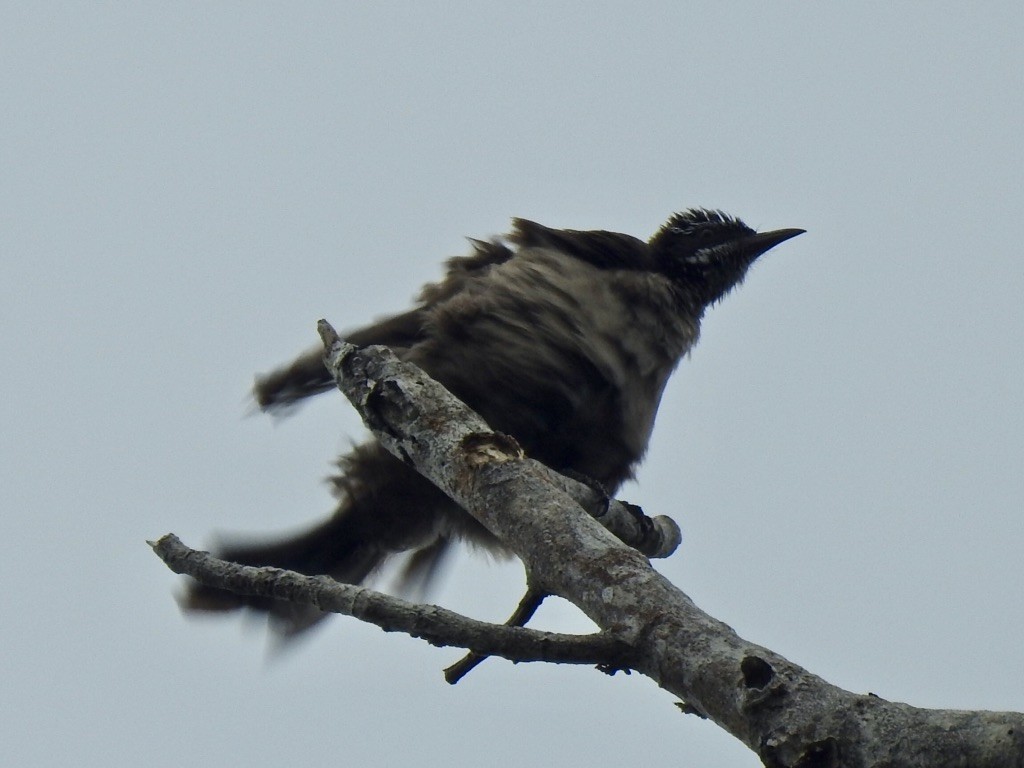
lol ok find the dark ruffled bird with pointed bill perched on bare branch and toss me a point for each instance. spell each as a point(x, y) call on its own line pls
point(564, 339)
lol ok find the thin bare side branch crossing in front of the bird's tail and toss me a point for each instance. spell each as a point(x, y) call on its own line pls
point(436, 625)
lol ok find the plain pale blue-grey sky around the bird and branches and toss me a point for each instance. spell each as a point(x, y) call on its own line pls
point(186, 189)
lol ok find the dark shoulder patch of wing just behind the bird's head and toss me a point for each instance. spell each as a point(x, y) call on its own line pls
point(600, 248)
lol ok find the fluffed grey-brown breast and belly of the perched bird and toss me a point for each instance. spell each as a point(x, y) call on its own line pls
point(562, 355)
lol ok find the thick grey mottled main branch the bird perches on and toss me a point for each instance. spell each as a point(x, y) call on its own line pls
point(790, 717)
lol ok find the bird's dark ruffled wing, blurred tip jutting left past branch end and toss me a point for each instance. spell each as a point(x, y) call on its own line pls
point(307, 376)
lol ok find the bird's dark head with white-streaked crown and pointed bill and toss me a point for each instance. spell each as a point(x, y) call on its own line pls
point(707, 253)
